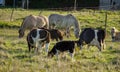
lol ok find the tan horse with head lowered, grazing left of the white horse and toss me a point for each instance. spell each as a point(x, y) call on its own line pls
point(30, 22)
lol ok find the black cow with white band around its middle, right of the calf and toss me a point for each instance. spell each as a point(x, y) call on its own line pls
point(92, 37)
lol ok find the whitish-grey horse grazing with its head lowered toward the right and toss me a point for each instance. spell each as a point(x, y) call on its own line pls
point(64, 21)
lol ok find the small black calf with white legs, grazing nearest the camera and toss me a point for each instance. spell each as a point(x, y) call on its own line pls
point(61, 47)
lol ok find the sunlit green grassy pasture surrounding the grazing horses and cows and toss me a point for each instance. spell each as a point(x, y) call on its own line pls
point(14, 55)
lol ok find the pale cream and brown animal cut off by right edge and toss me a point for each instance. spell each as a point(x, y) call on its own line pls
point(115, 34)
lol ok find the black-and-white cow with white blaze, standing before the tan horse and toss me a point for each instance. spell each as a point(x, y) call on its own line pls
point(37, 38)
